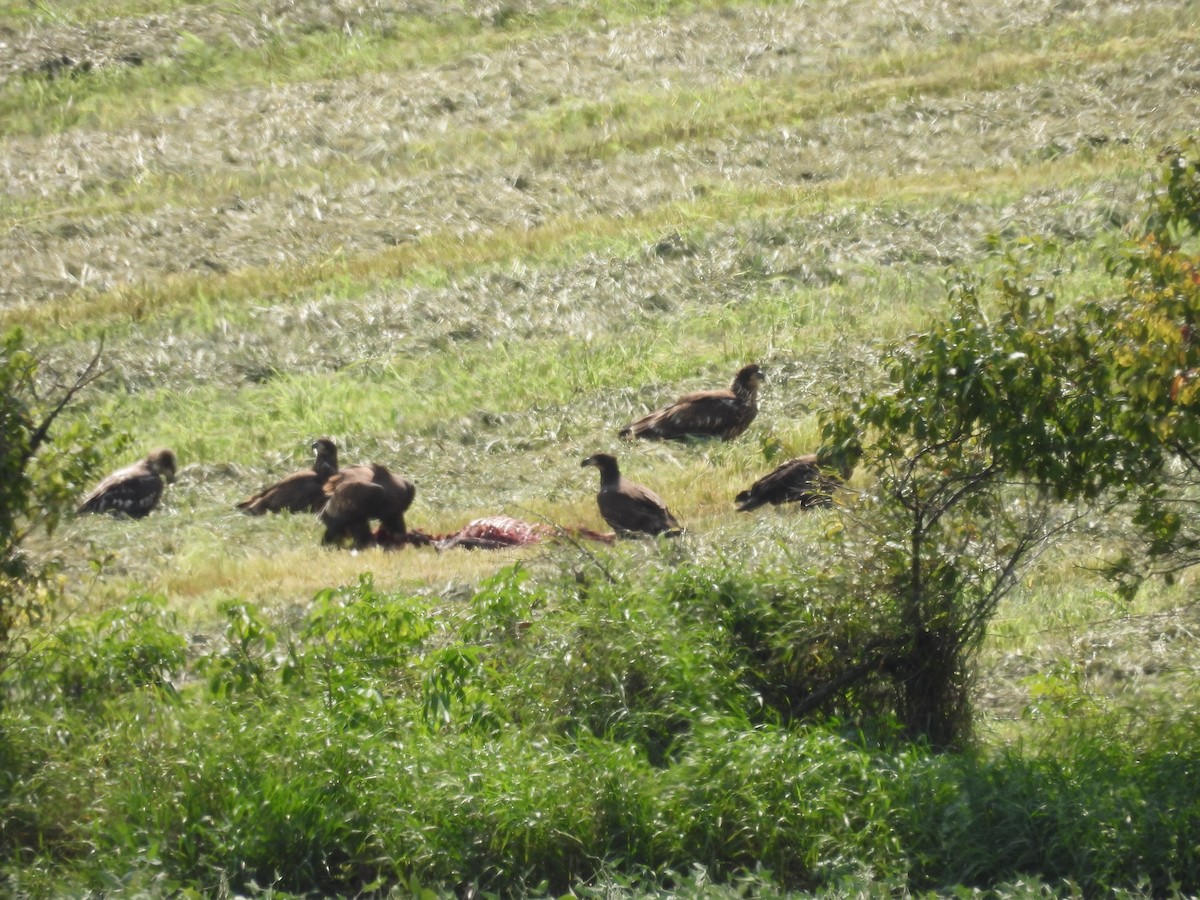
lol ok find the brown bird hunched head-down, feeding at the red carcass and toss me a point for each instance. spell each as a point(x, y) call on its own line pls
point(359, 495)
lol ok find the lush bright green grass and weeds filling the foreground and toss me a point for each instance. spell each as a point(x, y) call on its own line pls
point(545, 733)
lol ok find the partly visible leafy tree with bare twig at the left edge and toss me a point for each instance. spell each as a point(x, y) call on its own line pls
point(39, 482)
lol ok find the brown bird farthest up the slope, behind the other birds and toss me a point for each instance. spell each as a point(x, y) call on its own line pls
point(719, 413)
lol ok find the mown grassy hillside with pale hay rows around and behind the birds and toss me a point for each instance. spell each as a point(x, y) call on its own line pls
point(472, 241)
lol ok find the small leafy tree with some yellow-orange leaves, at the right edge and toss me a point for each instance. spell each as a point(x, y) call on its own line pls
point(994, 428)
